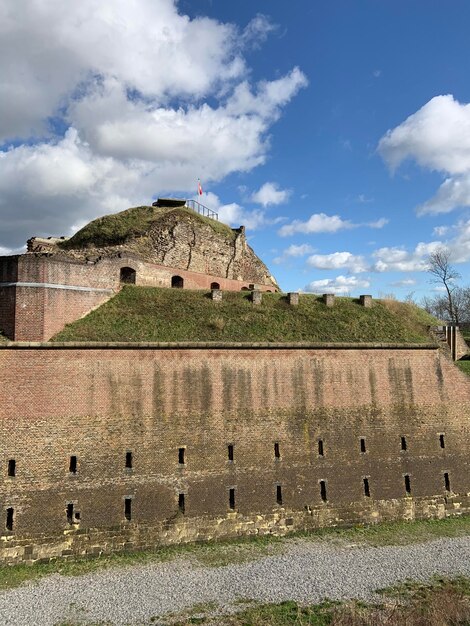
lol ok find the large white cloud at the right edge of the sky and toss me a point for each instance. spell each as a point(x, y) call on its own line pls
point(437, 137)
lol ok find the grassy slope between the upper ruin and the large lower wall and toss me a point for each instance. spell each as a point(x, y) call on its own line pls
point(151, 314)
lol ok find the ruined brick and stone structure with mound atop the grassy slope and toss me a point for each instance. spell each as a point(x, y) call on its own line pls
point(59, 280)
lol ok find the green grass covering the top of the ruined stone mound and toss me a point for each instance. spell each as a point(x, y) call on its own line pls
point(119, 227)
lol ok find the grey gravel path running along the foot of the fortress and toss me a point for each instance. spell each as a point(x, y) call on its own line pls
point(307, 571)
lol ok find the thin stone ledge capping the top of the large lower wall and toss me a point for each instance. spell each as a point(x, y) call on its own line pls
point(205, 345)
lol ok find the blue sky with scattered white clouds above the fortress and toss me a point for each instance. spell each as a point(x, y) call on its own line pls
point(337, 132)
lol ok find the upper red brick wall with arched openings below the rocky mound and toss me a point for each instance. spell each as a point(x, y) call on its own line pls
point(36, 313)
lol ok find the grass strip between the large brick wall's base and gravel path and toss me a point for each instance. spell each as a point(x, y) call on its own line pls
point(242, 550)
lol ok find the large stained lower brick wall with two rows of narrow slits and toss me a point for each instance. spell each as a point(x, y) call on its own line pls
point(98, 403)
